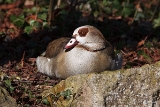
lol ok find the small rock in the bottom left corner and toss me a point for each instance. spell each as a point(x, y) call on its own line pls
point(6, 100)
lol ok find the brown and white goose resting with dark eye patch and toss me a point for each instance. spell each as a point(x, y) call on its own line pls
point(88, 51)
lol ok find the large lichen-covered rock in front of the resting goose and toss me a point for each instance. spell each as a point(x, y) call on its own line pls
point(122, 88)
